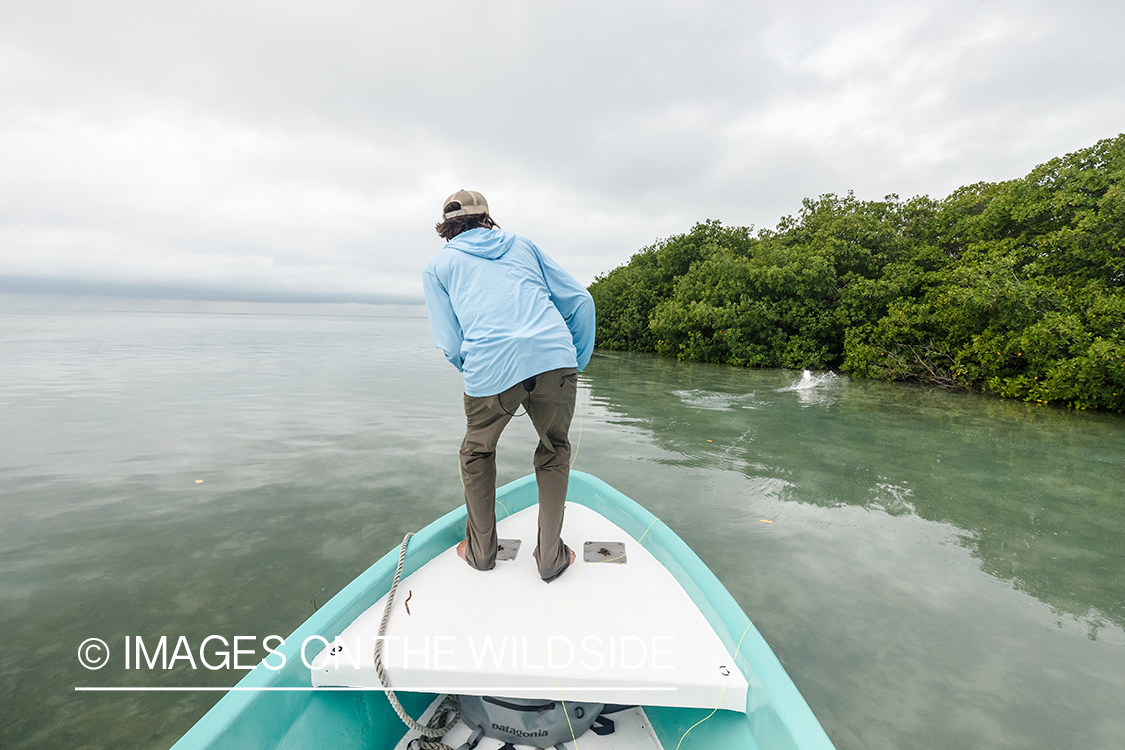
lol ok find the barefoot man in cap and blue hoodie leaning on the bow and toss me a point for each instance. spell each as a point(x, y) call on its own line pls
point(520, 329)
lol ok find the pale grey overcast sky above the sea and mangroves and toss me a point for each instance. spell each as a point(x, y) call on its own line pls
point(301, 151)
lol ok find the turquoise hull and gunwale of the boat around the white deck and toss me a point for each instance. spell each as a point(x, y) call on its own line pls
point(290, 715)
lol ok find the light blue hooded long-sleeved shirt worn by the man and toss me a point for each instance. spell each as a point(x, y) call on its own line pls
point(503, 312)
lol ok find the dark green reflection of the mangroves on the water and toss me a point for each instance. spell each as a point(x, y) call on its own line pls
point(1036, 493)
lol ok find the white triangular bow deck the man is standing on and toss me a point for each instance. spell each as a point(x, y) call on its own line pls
point(602, 632)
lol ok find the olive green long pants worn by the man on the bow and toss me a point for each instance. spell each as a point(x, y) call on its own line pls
point(548, 400)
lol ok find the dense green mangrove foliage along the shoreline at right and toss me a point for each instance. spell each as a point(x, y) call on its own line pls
point(1014, 288)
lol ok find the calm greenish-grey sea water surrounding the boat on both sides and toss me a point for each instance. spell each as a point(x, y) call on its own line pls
point(939, 571)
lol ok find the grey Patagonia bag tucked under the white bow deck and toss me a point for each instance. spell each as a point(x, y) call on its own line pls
point(529, 721)
